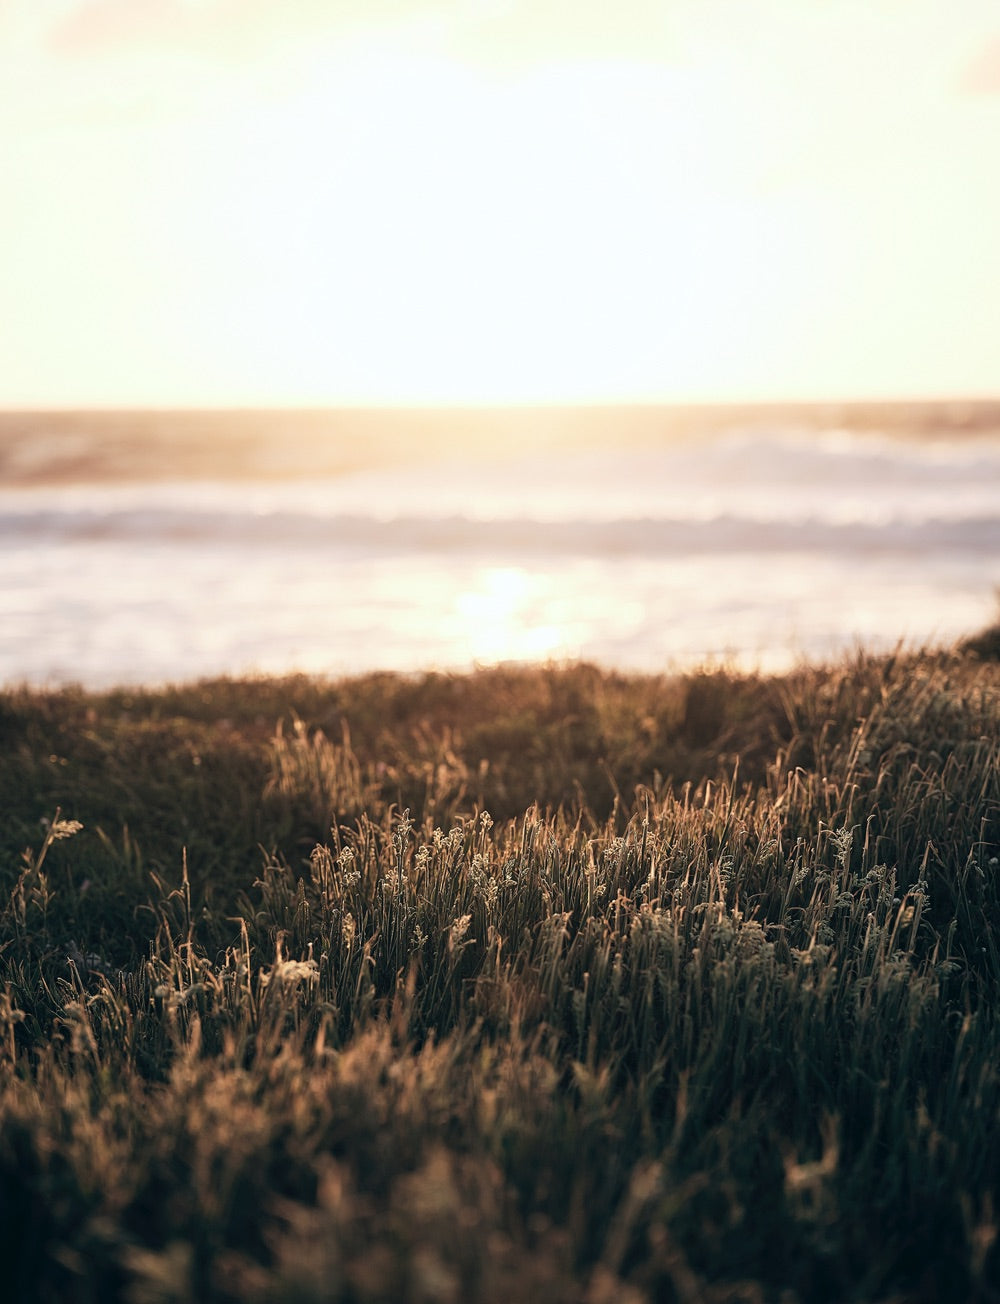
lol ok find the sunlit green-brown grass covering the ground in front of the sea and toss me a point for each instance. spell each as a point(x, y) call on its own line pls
point(530, 985)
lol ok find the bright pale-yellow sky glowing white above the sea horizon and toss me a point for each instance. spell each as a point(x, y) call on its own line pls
point(265, 203)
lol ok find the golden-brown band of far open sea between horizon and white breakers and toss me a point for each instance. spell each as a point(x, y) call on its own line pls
point(65, 447)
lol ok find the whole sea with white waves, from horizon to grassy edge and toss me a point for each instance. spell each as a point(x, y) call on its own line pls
point(144, 548)
